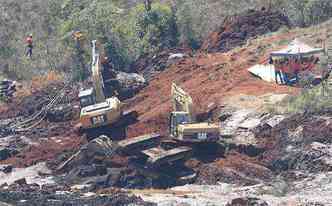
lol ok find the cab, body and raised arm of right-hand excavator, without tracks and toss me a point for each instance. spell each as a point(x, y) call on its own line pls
point(182, 122)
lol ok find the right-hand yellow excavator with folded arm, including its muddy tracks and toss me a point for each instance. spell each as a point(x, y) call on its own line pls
point(184, 134)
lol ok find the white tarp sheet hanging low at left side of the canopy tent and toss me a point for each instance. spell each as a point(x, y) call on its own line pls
point(265, 72)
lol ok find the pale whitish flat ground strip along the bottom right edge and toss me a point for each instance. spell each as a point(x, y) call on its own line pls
point(314, 190)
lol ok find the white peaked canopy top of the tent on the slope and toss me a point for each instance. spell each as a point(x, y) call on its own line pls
point(297, 48)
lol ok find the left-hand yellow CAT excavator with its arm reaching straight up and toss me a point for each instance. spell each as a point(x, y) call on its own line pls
point(97, 111)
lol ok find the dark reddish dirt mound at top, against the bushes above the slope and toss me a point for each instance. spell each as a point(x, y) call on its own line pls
point(237, 29)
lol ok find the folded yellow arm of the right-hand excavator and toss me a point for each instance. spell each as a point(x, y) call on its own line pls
point(182, 102)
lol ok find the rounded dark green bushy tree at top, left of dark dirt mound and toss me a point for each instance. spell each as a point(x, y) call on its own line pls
point(142, 31)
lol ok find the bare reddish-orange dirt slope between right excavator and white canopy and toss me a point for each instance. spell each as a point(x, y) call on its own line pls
point(208, 78)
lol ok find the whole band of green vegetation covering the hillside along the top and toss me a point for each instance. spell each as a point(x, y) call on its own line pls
point(124, 28)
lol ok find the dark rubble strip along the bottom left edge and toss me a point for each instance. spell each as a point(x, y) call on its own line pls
point(33, 195)
